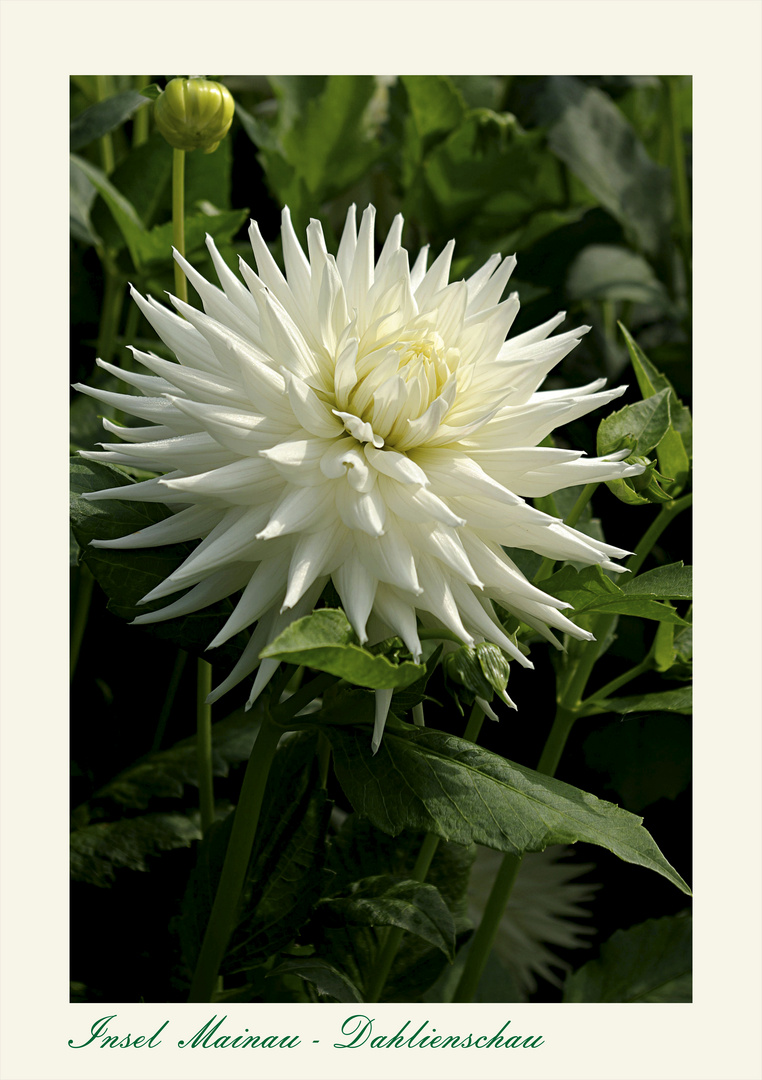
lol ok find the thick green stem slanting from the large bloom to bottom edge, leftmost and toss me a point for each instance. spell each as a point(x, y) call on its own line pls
point(225, 909)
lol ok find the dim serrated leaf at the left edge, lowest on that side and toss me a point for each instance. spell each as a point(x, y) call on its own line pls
point(98, 852)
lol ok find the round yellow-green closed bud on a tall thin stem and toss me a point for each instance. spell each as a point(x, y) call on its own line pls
point(195, 114)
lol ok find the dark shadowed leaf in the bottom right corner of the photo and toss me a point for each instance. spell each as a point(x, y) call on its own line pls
point(650, 963)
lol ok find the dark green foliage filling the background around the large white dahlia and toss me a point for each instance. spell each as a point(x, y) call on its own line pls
point(571, 173)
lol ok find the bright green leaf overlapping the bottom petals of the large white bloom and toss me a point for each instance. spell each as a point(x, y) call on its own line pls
point(326, 642)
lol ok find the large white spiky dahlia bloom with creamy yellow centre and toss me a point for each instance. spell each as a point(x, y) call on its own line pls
point(360, 422)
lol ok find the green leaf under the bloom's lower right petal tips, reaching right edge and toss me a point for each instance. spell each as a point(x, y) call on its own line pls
point(590, 591)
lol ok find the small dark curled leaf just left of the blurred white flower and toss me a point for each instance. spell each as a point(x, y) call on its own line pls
point(384, 901)
